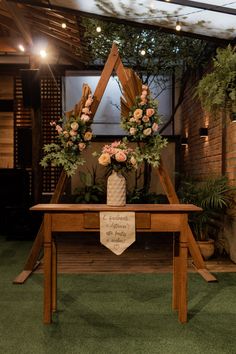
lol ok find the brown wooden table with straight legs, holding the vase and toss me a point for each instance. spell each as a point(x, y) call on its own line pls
point(148, 218)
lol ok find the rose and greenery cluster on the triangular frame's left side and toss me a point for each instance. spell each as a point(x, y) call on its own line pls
point(74, 135)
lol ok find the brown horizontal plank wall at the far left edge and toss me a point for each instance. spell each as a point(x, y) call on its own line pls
point(6, 125)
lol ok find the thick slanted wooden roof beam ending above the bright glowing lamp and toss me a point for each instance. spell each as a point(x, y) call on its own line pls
point(17, 16)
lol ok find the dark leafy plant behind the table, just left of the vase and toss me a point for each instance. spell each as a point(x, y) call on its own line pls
point(90, 192)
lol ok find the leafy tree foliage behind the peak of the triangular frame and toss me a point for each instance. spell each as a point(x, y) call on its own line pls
point(165, 53)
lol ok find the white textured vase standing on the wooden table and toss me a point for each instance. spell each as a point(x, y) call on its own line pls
point(116, 189)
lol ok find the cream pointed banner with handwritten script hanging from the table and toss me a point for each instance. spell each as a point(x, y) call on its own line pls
point(117, 230)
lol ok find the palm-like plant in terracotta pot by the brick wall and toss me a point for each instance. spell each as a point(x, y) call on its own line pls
point(214, 196)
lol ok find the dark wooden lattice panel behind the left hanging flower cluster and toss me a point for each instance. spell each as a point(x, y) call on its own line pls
point(51, 103)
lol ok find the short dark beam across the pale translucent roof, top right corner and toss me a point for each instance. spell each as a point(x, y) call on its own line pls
point(202, 5)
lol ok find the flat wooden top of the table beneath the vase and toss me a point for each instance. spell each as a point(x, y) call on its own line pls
point(161, 208)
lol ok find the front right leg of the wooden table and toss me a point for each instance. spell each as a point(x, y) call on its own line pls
point(183, 256)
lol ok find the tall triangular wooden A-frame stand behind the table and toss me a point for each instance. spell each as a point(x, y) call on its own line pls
point(113, 63)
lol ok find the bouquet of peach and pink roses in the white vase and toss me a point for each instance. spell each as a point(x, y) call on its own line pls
point(118, 156)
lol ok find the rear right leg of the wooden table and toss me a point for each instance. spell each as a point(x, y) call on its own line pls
point(176, 273)
